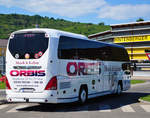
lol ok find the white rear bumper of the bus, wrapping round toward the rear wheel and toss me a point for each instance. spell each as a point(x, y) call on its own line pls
point(45, 97)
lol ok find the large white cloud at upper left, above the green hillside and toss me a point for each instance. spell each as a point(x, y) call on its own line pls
point(69, 8)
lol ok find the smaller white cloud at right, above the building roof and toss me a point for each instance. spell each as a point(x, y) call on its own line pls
point(127, 11)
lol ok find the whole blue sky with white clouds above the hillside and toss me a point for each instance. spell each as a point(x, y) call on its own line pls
point(85, 11)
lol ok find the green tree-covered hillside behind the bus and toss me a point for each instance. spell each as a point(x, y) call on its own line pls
point(13, 22)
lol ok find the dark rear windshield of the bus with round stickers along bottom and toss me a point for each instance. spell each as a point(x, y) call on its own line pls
point(28, 45)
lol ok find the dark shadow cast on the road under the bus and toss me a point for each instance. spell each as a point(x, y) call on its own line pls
point(127, 98)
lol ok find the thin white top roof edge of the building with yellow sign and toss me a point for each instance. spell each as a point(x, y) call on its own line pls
point(131, 24)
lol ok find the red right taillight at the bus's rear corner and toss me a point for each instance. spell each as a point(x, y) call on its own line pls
point(52, 84)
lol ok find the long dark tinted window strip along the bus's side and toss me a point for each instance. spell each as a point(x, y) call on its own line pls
point(73, 48)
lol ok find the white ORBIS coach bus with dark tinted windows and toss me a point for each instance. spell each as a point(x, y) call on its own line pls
point(52, 66)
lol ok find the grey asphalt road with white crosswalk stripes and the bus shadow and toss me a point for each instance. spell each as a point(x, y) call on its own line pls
point(124, 106)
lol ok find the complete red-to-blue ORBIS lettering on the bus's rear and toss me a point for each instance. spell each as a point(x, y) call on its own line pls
point(27, 73)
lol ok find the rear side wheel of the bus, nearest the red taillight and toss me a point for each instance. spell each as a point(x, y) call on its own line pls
point(83, 95)
